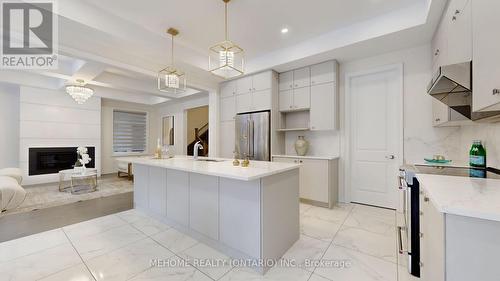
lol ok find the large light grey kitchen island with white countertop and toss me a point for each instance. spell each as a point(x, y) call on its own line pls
point(247, 213)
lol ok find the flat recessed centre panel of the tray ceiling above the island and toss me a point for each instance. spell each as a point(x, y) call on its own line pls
point(254, 24)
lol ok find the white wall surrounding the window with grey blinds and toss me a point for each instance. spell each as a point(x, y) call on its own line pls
point(108, 160)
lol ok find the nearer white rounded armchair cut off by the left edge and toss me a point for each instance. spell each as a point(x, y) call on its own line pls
point(11, 193)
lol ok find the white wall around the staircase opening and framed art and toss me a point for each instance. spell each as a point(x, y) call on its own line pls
point(178, 110)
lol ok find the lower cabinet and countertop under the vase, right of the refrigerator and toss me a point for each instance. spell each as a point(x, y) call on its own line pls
point(318, 179)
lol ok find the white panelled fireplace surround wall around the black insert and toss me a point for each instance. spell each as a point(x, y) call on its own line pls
point(51, 118)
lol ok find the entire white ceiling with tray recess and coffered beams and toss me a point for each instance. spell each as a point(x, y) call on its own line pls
point(119, 45)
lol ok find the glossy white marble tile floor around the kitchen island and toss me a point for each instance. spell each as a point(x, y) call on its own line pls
point(350, 242)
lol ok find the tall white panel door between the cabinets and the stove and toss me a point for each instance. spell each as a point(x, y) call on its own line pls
point(375, 135)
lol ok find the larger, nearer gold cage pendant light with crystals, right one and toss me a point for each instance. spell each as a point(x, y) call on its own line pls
point(226, 59)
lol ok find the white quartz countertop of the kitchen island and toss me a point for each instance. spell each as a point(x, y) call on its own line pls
point(225, 168)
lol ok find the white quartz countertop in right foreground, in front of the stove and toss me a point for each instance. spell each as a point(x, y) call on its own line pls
point(463, 196)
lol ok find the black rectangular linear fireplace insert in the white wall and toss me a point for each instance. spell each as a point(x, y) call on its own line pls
point(51, 160)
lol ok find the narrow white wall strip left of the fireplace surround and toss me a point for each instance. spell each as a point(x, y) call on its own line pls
point(9, 126)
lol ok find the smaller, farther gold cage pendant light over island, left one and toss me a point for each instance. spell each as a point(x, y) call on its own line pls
point(170, 79)
